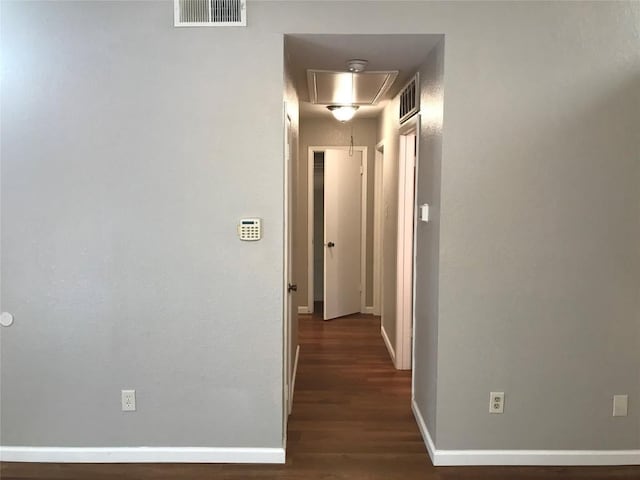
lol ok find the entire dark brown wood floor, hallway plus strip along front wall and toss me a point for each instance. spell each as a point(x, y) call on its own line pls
point(351, 420)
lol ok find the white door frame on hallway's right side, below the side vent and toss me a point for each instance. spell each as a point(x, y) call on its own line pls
point(405, 280)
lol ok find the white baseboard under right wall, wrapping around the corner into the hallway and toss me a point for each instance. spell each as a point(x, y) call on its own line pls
point(441, 458)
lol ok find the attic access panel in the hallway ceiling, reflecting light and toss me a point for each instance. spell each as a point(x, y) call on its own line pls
point(335, 88)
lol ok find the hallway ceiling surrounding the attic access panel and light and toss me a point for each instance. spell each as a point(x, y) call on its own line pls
point(404, 53)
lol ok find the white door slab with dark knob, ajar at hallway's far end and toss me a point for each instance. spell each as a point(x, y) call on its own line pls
point(342, 230)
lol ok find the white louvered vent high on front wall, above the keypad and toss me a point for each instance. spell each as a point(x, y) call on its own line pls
point(210, 13)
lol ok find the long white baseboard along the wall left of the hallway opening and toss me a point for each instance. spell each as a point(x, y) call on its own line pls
point(141, 455)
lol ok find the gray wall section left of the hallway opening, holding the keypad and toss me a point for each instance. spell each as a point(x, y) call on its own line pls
point(130, 149)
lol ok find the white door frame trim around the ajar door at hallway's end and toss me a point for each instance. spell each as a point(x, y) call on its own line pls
point(363, 223)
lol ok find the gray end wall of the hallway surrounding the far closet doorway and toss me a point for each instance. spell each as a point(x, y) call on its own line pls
point(330, 132)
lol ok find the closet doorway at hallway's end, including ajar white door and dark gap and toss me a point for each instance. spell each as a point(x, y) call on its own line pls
point(337, 230)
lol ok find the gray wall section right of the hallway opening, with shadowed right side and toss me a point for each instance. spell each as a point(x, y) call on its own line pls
point(540, 228)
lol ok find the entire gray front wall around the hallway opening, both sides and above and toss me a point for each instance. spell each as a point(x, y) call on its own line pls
point(120, 195)
